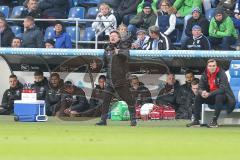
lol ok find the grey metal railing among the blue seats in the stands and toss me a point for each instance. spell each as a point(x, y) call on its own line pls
point(77, 22)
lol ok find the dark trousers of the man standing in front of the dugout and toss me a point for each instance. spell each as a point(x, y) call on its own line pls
point(121, 92)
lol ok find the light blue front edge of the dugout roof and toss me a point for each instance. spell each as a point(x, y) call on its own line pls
point(134, 53)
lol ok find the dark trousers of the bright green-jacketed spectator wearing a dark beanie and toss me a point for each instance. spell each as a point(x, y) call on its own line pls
point(224, 42)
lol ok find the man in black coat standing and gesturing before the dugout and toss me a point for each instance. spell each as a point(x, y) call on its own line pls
point(115, 62)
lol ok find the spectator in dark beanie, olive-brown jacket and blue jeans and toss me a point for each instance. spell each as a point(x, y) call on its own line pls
point(143, 20)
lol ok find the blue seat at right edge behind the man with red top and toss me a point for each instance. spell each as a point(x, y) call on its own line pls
point(234, 72)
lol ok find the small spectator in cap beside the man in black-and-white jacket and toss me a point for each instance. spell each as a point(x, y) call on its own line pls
point(142, 40)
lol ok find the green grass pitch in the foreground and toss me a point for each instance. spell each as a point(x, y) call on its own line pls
point(81, 140)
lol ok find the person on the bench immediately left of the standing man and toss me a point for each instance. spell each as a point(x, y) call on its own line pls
point(96, 99)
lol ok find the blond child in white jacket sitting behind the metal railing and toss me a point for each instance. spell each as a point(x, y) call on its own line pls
point(105, 14)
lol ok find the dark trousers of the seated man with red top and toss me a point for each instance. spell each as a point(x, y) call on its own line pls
point(217, 100)
